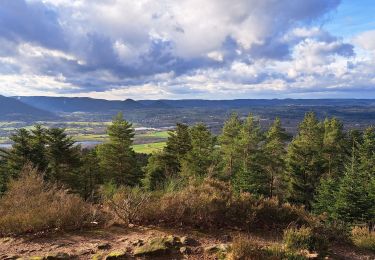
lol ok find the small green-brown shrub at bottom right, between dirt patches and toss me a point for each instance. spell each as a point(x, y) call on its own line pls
point(305, 238)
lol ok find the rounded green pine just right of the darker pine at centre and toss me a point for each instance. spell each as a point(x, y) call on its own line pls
point(201, 156)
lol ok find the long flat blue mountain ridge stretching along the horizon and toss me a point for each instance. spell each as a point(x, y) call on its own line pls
point(85, 104)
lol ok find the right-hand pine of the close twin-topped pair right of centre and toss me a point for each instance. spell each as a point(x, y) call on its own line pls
point(252, 176)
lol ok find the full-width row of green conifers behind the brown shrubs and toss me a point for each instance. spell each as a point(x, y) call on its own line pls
point(323, 167)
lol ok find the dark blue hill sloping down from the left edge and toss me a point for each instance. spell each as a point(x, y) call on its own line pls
point(13, 109)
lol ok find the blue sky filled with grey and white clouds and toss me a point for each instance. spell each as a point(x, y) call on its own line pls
point(169, 49)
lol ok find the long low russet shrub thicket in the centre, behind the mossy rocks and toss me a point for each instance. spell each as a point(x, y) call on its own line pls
point(205, 204)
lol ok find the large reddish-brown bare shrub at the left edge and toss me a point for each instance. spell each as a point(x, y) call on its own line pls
point(32, 205)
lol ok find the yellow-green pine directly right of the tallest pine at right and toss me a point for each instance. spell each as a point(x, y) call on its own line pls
point(335, 147)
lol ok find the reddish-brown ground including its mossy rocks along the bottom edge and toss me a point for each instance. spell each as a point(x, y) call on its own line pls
point(137, 243)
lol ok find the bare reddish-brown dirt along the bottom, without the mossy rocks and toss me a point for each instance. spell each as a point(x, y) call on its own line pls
point(98, 243)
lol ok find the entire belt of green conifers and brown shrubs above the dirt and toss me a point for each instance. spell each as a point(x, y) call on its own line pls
point(317, 189)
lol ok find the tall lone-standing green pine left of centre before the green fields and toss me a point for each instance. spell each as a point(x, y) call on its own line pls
point(117, 157)
